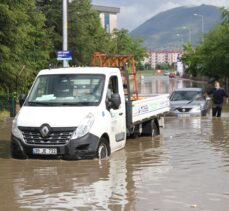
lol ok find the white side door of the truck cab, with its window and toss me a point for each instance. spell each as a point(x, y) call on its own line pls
point(118, 117)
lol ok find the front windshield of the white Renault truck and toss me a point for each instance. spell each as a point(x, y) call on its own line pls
point(67, 90)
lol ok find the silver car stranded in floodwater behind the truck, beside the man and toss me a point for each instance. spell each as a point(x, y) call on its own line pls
point(189, 102)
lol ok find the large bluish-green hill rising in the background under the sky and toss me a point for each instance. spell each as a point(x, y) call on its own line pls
point(173, 27)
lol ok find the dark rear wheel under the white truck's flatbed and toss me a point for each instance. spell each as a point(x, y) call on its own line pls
point(151, 128)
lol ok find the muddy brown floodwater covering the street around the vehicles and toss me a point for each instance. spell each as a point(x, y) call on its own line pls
point(185, 168)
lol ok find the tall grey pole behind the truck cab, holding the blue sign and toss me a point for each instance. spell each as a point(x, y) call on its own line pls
point(65, 30)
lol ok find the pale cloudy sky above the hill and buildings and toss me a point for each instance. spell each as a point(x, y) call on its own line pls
point(135, 12)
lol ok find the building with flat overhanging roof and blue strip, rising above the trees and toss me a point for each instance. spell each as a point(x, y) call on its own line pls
point(108, 16)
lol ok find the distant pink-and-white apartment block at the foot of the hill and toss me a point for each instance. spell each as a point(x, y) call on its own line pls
point(162, 57)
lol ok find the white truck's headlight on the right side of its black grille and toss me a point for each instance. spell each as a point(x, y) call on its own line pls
point(84, 126)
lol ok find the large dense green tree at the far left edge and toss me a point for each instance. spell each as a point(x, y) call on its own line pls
point(24, 43)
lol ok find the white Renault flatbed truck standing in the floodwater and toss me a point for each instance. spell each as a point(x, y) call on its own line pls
point(83, 112)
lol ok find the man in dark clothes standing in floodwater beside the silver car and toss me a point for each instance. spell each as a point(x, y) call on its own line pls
point(218, 95)
